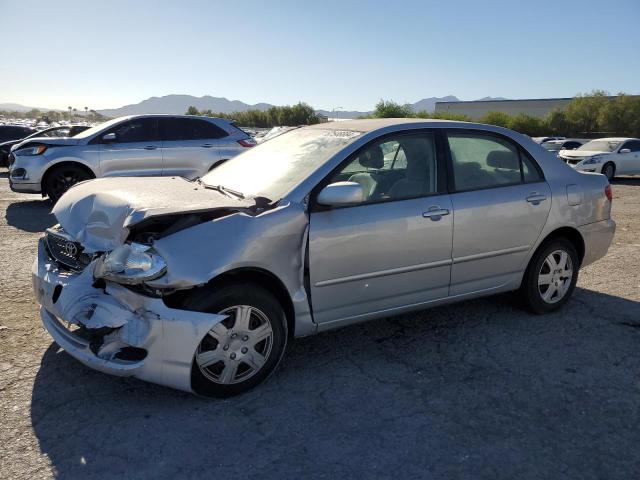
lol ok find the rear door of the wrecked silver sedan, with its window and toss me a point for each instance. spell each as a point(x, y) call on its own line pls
point(500, 202)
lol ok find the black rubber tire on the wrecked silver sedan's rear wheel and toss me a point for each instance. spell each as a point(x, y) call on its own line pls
point(533, 294)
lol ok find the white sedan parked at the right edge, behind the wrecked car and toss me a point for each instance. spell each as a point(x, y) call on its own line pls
point(609, 156)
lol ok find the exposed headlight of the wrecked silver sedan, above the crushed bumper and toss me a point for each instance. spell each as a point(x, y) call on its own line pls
point(131, 263)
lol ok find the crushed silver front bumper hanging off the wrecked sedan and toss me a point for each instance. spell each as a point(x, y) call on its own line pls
point(121, 321)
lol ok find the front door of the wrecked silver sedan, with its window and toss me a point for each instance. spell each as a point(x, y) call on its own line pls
point(391, 251)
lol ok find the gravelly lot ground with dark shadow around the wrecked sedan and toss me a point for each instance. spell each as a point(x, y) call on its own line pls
point(475, 390)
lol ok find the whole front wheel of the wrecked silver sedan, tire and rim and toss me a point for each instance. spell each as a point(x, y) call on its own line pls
point(244, 349)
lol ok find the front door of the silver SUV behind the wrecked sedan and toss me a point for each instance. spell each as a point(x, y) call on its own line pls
point(131, 148)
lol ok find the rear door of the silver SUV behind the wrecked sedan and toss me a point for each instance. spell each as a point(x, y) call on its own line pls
point(190, 146)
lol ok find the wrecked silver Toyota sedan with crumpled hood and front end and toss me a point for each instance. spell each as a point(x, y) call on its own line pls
point(199, 285)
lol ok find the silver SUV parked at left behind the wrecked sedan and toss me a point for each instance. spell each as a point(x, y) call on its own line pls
point(142, 145)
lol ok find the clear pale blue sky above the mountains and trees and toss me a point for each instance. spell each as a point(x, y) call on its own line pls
point(327, 53)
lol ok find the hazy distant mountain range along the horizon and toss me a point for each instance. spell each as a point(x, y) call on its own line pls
point(178, 104)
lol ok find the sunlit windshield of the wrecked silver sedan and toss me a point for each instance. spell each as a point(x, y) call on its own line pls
point(274, 168)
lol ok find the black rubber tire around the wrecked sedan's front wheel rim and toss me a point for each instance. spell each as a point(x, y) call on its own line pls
point(218, 300)
